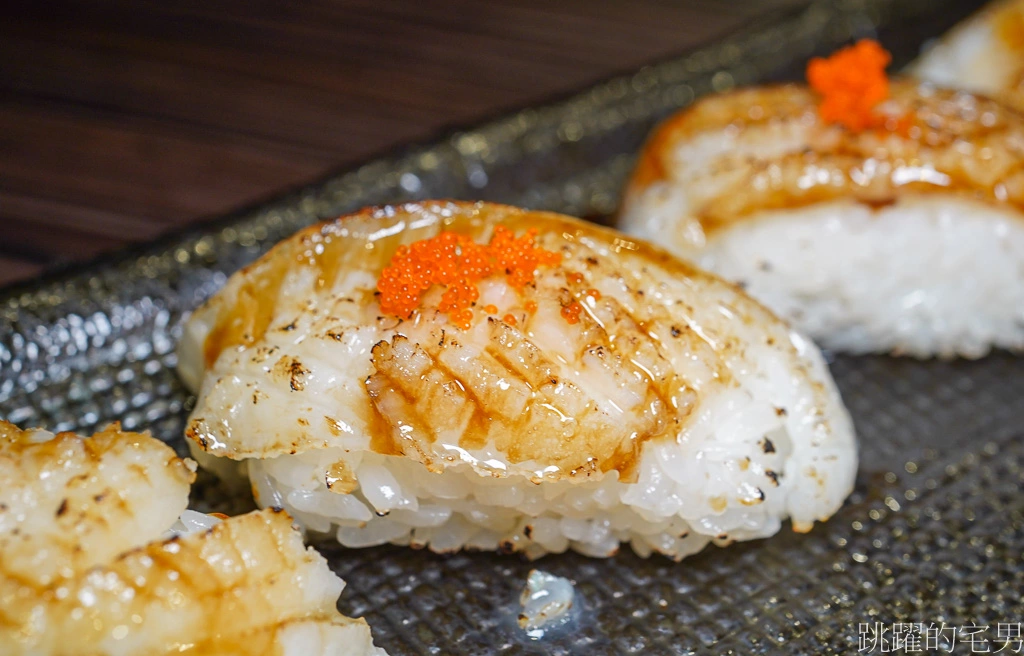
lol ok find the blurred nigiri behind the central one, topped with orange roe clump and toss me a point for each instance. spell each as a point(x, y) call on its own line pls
point(876, 217)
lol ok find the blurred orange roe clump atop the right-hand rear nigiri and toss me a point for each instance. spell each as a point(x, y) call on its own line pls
point(852, 82)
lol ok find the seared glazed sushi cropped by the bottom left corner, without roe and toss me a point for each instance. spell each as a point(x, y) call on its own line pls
point(87, 566)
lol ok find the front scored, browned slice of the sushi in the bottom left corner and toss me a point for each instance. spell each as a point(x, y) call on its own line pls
point(239, 588)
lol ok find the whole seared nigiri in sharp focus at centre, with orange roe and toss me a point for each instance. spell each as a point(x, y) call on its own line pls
point(451, 375)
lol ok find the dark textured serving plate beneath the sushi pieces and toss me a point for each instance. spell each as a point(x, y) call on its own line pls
point(933, 536)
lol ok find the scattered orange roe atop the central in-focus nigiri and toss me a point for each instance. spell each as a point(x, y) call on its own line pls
point(458, 264)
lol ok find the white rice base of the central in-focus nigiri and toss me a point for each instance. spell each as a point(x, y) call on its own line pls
point(754, 456)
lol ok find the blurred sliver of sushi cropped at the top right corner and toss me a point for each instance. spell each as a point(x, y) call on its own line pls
point(984, 55)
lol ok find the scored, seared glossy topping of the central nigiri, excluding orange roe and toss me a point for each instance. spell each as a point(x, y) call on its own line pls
point(567, 377)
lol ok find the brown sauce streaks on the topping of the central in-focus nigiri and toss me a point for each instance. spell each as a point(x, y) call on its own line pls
point(411, 429)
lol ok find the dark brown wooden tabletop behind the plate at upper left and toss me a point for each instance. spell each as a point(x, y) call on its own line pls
point(123, 119)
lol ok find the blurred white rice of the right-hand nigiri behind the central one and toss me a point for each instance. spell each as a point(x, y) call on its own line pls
point(927, 276)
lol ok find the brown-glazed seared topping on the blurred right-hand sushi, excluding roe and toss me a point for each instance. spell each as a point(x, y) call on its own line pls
point(767, 149)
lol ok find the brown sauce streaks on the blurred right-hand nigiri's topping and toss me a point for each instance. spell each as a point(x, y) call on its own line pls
point(927, 140)
